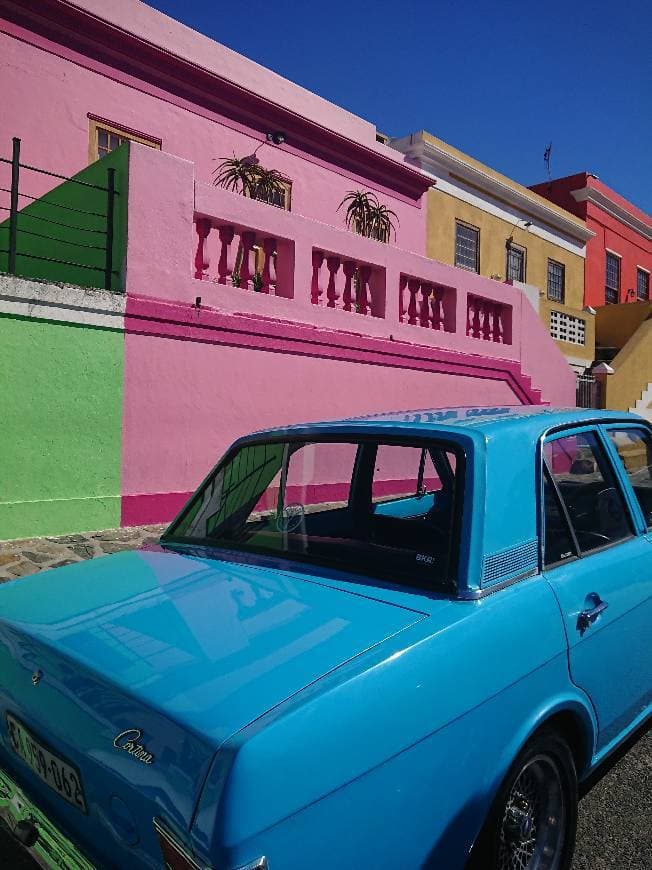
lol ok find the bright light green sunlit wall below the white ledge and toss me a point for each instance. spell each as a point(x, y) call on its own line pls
point(61, 427)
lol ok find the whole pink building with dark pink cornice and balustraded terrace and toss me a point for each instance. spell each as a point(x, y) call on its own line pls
point(341, 325)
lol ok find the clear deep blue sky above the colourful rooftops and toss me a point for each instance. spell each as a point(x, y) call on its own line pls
point(498, 80)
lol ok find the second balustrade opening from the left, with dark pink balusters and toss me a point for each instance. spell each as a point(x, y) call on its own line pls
point(350, 285)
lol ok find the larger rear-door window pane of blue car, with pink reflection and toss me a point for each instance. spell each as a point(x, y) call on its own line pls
point(589, 489)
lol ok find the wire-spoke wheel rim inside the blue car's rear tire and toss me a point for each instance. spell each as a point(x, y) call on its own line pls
point(534, 821)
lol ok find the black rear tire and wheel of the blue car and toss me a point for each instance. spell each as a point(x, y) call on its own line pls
point(533, 820)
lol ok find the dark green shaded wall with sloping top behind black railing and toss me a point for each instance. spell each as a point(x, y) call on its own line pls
point(41, 234)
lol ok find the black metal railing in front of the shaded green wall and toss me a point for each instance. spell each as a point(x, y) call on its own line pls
point(106, 232)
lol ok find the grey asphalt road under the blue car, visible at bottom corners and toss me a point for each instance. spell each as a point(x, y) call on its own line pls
point(615, 829)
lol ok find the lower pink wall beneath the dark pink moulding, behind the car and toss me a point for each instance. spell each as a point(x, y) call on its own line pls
point(186, 401)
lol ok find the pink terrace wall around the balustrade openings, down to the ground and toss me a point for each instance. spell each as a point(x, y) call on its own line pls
point(196, 378)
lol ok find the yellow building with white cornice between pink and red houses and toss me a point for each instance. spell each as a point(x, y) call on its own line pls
point(481, 220)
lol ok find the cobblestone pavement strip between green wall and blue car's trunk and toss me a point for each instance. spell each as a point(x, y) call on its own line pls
point(20, 558)
